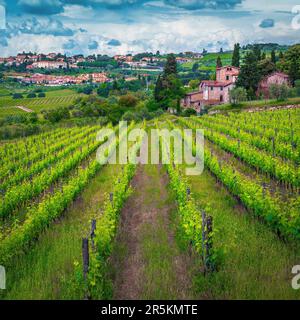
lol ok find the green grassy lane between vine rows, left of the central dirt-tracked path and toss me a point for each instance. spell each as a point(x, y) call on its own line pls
point(47, 270)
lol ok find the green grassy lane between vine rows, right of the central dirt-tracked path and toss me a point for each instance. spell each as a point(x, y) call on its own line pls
point(254, 263)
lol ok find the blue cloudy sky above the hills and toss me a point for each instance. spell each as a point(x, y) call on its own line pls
point(129, 26)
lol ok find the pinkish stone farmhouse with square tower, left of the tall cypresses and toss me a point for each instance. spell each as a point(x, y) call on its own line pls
point(213, 92)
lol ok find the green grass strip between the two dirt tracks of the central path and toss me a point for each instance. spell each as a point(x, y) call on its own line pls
point(160, 280)
